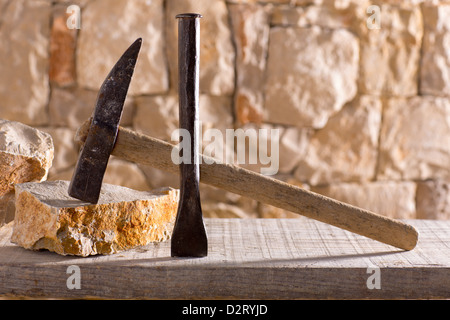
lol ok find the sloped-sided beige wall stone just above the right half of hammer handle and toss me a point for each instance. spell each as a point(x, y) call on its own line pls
point(346, 149)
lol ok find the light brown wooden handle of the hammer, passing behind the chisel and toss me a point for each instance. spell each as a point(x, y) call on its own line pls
point(153, 152)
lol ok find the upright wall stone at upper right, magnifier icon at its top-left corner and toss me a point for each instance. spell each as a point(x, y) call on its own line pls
point(390, 55)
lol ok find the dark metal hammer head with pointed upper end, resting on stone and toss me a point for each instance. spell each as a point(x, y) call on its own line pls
point(94, 155)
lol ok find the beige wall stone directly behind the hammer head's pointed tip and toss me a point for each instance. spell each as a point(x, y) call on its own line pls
point(109, 27)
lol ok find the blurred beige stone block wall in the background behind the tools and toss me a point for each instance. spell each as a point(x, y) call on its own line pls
point(364, 112)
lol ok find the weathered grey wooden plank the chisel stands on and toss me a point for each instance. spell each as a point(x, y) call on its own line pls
point(248, 259)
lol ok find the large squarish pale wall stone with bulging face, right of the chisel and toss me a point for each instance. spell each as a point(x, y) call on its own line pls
point(311, 74)
